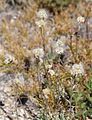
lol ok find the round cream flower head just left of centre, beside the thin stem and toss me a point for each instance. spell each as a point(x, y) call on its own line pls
point(38, 53)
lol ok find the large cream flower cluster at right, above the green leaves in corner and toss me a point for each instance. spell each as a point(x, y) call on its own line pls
point(77, 69)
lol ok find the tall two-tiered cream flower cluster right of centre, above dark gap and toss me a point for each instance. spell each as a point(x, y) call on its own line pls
point(59, 46)
